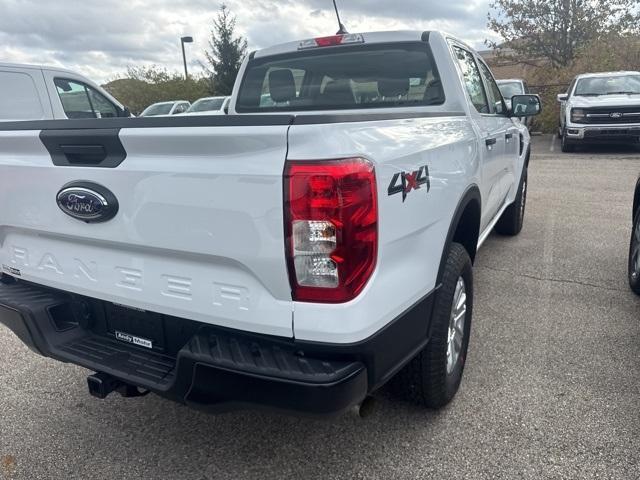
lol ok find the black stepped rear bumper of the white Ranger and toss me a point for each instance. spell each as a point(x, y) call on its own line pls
point(216, 369)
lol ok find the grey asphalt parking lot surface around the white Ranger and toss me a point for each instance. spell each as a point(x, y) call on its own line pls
point(551, 387)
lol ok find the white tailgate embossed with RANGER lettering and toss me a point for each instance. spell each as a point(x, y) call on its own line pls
point(199, 230)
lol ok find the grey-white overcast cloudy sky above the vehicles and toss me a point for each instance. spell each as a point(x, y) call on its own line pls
point(99, 38)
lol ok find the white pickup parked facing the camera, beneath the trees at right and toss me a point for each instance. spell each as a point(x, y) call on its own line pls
point(600, 107)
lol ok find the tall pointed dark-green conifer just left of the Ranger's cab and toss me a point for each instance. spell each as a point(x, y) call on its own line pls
point(226, 54)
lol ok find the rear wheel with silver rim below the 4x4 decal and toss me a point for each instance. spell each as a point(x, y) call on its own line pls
point(433, 377)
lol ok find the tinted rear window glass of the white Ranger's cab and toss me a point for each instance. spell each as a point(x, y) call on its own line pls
point(335, 78)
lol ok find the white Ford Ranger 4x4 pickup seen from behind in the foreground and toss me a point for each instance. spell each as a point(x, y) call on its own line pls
point(295, 254)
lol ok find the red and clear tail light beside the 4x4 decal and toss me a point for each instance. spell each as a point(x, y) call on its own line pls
point(331, 226)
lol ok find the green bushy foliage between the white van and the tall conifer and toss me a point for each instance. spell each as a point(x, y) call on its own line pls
point(143, 86)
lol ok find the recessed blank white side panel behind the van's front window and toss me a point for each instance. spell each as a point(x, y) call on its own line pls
point(19, 99)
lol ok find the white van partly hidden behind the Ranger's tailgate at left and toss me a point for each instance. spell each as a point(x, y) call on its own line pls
point(31, 92)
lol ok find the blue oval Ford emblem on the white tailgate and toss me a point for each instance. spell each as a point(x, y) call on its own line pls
point(87, 201)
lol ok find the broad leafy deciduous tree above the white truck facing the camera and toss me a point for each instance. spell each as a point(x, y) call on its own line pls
point(557, 29)
